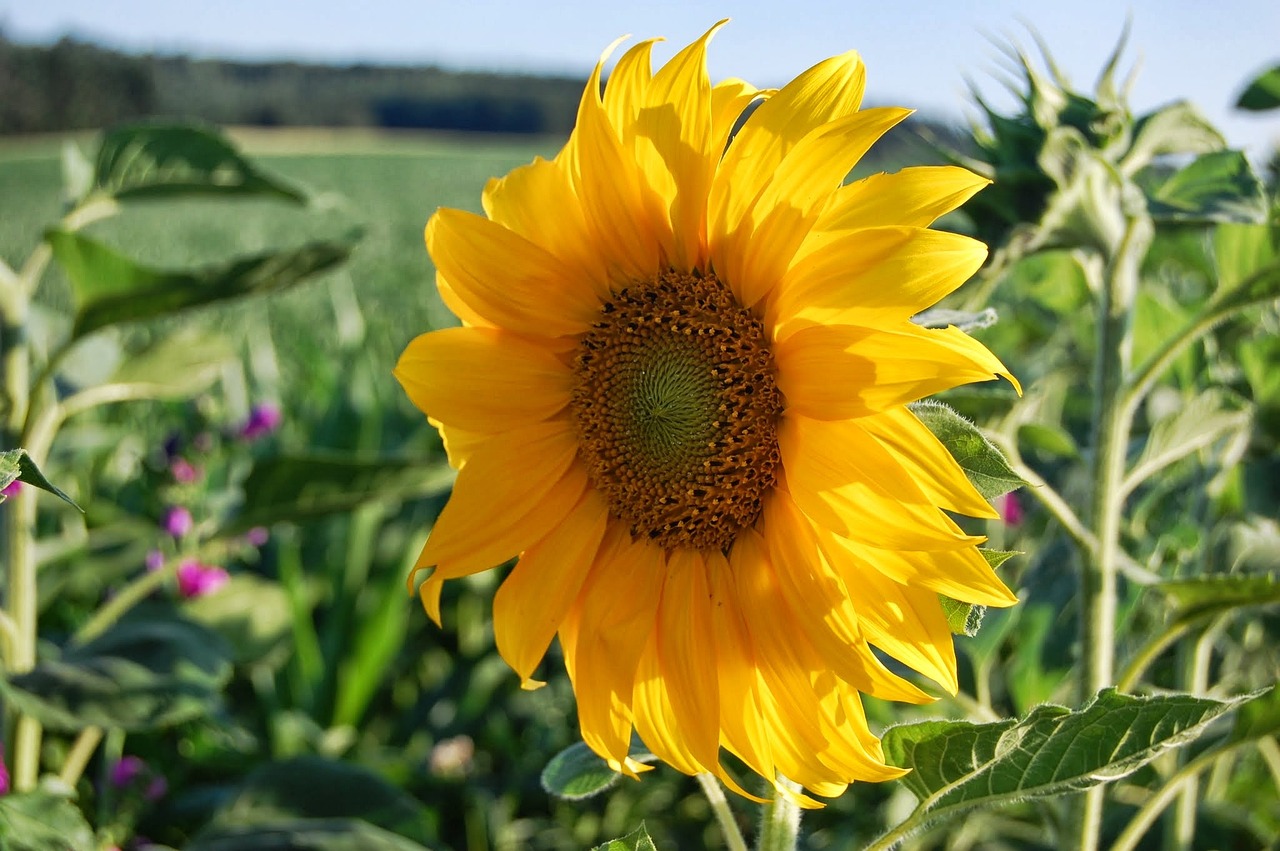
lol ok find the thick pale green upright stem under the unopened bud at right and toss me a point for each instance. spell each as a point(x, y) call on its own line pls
point(1113, 422)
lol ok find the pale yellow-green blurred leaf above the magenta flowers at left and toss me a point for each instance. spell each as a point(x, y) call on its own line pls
point(177, 367)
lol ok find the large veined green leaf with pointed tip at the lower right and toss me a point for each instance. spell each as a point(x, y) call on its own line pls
point(962, 766)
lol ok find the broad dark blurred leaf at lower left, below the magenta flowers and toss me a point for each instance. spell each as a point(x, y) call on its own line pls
point(141, 675)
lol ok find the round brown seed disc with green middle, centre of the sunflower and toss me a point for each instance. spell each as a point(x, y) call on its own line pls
point(678, 411)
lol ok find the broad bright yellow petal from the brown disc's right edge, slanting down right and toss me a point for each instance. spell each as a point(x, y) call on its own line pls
point(847, 482)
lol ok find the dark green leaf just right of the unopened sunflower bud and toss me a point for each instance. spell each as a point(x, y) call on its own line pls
point(1213, 187)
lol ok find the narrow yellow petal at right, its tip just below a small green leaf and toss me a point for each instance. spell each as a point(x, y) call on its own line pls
point(927, 463)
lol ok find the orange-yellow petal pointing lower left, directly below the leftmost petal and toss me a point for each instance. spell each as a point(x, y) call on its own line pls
point(495, 515)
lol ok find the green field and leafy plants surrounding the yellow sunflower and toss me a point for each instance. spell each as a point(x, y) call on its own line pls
point(310, 702)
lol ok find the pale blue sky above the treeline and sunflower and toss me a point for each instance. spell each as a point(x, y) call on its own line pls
point(918, 54)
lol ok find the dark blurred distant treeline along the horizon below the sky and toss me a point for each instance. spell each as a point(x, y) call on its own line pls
point(75, 85)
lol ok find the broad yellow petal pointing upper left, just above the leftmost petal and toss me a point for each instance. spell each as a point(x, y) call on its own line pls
point(508, 280)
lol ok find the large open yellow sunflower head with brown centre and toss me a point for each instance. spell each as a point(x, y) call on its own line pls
point(679, 396)
